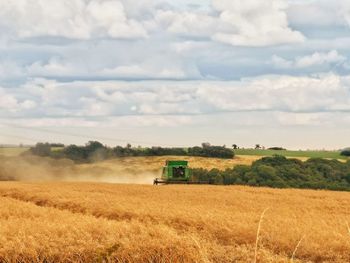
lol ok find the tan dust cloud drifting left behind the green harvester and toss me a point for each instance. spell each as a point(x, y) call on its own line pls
point(34, 168)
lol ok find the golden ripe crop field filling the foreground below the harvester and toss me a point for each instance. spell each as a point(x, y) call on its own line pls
point(91, 222)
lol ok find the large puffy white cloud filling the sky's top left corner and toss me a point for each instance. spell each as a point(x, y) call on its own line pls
point(76, 19)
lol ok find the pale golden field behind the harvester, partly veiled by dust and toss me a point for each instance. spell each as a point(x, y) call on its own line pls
point(141, 170)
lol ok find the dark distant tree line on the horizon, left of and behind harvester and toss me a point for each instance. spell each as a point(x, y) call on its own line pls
point(96, 151)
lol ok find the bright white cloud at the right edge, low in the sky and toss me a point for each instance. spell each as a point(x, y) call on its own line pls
point(285, 93)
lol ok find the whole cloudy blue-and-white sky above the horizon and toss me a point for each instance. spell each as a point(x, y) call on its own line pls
point(176, 73)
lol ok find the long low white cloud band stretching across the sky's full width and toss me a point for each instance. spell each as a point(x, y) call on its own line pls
point(327, 93)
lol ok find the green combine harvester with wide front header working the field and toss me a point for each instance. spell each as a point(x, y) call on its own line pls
point(177, 172)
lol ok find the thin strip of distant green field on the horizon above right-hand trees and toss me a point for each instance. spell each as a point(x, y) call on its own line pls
point(287, 153)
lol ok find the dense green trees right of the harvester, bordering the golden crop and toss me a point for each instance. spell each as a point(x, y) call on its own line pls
point(280, 172)
